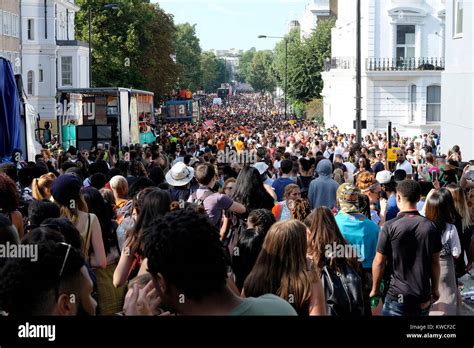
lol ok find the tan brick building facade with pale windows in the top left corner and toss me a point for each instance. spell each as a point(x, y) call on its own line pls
point(10, 44)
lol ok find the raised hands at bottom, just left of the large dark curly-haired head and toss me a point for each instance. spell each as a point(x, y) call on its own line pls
point(141, 301)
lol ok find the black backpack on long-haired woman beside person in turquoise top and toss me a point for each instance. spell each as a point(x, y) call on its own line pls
point(342, 291)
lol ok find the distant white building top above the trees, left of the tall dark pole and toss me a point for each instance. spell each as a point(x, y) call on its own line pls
point(314, 11)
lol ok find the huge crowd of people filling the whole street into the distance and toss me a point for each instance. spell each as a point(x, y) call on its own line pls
point(305, 221)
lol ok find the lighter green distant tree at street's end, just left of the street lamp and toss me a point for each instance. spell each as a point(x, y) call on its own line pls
point(262, 75)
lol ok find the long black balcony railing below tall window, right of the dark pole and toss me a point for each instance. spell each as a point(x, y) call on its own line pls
point(406, 64)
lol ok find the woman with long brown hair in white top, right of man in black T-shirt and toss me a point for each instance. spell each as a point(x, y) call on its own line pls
point(440, 209)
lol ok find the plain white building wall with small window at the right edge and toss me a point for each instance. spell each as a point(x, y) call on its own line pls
point(457, 81)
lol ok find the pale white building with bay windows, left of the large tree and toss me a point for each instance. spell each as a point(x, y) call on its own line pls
point(52, 58)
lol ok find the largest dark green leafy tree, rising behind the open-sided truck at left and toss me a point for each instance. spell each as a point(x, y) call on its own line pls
point(139, 34)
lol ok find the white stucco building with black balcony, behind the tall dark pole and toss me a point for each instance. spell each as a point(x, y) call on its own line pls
point(402, 60)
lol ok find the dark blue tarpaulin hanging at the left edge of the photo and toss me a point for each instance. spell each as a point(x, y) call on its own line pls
point(9, 111)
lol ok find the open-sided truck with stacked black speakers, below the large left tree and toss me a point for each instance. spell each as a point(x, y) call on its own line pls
point(112, 116)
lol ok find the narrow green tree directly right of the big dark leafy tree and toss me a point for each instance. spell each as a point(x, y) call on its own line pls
point(188, 56)
